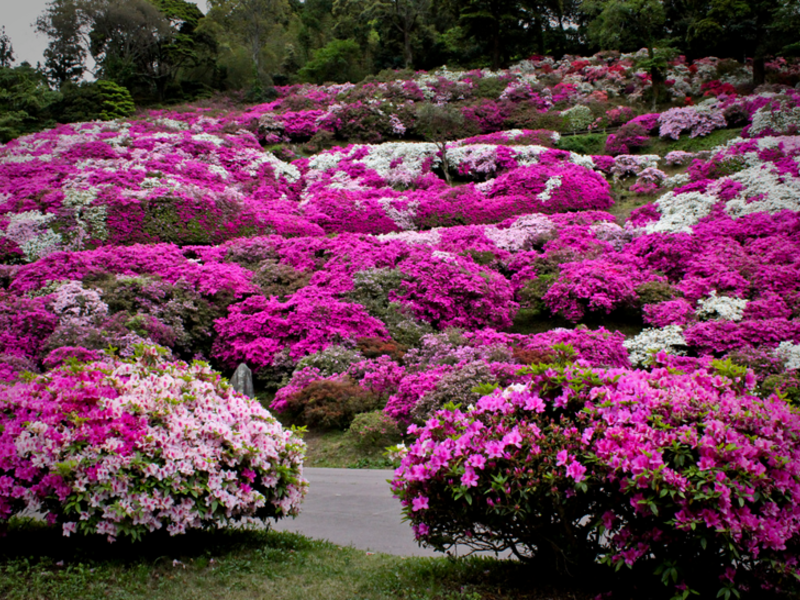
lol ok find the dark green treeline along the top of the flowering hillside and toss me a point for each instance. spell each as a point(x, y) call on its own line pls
point(163, 51)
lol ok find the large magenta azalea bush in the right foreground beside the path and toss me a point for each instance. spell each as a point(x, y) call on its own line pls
point(680, 469)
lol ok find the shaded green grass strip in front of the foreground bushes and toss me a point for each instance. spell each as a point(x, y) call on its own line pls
point(38, 563)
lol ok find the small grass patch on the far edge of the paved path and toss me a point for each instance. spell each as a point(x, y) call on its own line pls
point(336, 449)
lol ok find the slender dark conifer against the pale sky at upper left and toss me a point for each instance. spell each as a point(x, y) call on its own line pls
point(65, 56)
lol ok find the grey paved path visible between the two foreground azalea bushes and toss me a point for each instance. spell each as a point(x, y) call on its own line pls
point(354, 506)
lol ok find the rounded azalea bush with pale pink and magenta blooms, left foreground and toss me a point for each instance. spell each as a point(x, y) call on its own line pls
point(124, 447)
